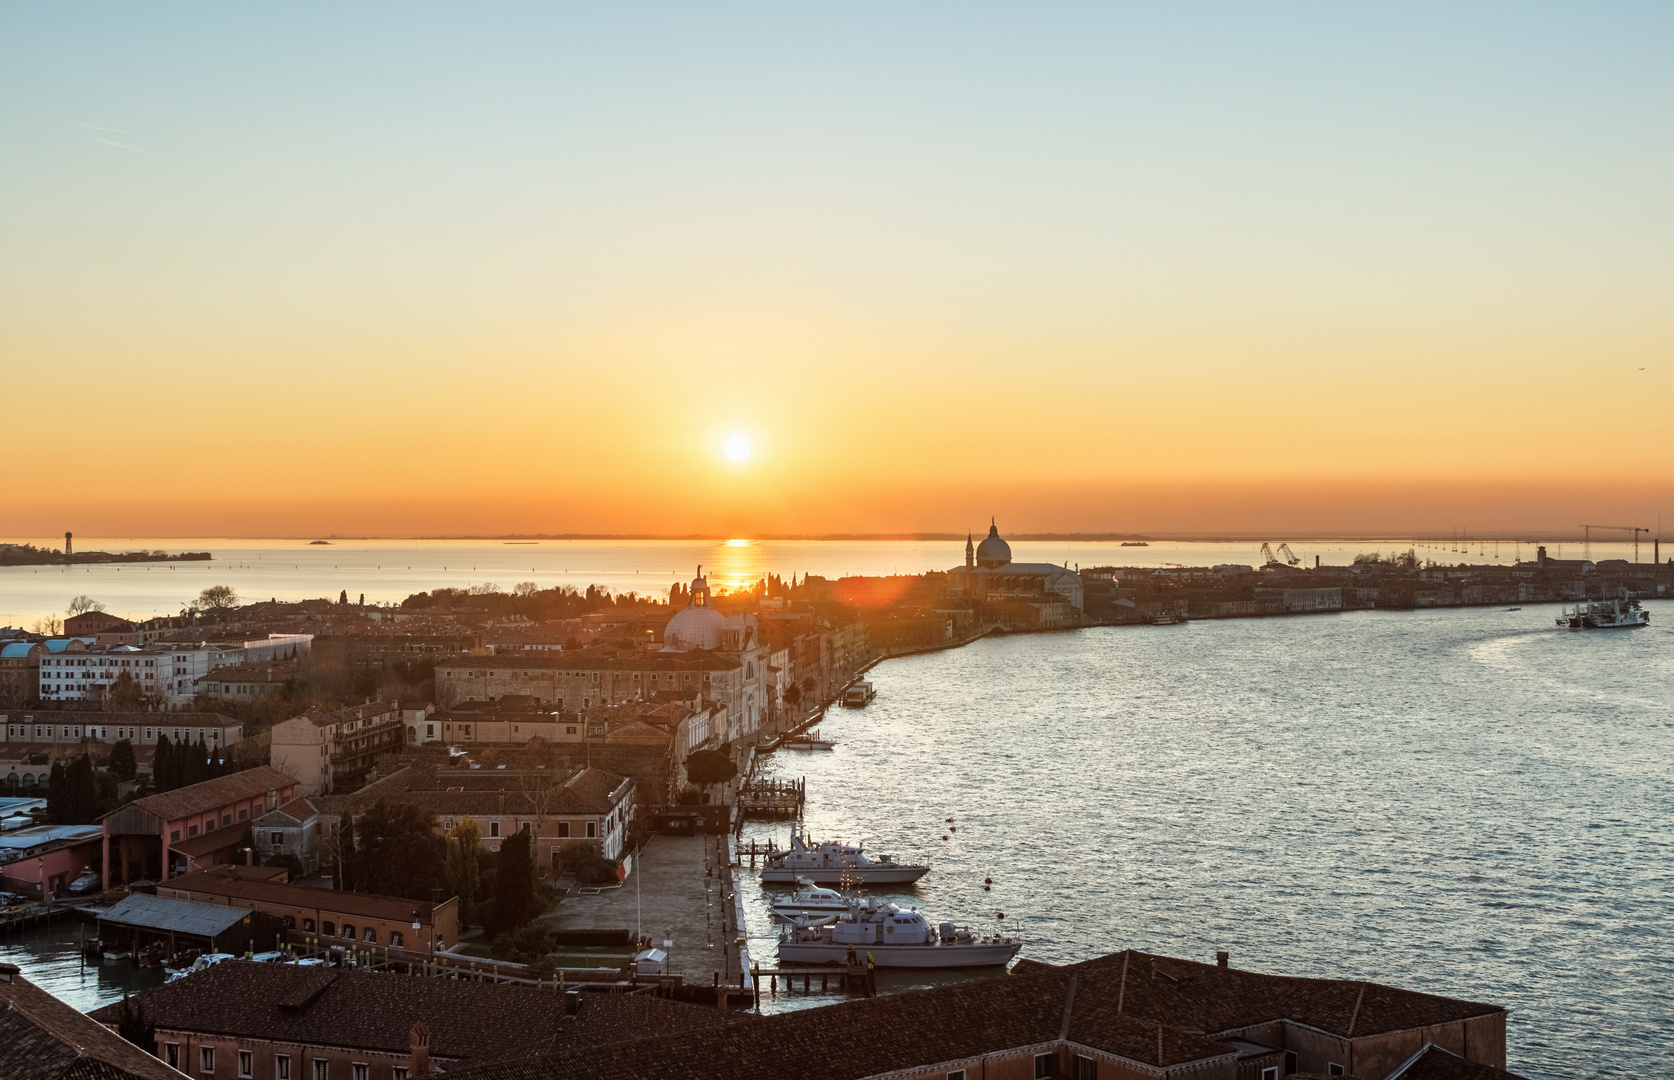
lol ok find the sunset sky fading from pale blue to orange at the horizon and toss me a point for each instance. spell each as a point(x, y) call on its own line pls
point(282, 270)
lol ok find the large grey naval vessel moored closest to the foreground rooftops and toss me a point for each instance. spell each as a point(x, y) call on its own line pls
point(893, 939)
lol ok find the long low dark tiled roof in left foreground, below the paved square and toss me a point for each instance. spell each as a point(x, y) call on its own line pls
point(377, 1012)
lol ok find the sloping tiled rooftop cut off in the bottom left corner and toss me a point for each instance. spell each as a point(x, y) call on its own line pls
point(44, 1039)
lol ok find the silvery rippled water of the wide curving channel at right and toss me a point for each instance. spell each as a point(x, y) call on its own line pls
point(1467, 803)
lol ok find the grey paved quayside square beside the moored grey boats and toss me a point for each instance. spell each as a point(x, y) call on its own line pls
point(669, 897)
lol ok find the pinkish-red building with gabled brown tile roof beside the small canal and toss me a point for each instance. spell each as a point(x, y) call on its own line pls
point(192, 828)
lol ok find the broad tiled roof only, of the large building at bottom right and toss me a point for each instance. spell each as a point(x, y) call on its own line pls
point(1153, 1011)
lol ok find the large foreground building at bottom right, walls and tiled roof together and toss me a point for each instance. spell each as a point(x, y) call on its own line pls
point(1121, 1017)
